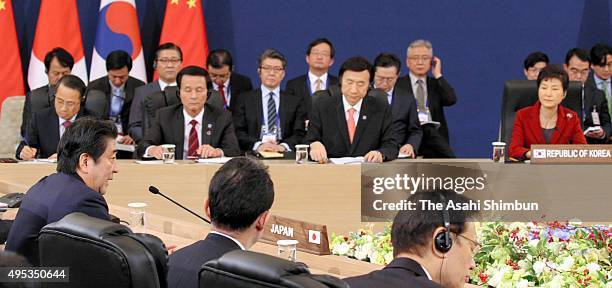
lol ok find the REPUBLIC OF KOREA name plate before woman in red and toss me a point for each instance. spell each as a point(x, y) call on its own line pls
point(571, 154)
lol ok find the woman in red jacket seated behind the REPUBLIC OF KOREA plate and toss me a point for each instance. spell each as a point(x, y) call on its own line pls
point(546, 122)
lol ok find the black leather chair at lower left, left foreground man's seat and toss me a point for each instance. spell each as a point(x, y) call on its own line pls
point(101, 253)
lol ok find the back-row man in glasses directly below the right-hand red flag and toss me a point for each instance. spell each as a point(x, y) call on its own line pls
point(168, 61)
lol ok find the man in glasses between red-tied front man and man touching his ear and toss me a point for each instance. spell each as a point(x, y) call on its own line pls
point(406, 124)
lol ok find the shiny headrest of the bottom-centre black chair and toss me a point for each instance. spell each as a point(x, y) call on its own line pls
point(257, 266)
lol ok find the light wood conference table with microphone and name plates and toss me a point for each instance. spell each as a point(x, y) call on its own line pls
point(322, 194)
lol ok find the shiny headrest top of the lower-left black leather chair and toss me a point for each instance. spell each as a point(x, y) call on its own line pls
point(82, 225)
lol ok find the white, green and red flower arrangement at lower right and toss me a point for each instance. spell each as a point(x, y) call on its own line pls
point(549, 254)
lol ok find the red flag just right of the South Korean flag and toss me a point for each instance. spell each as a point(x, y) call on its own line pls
point(184, 26)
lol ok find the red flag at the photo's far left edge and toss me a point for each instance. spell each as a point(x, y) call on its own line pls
point(10, 71)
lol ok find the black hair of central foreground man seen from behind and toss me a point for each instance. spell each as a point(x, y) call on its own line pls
point(239, 192)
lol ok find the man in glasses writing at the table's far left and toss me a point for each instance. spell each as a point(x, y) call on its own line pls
point(49, 124)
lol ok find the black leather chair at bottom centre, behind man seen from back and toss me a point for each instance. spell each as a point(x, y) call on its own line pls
point(255, 270)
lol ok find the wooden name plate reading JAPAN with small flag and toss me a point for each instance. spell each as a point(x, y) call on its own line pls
point(312, 238)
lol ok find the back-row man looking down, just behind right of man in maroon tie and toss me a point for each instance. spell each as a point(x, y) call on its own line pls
point(229, 83)
